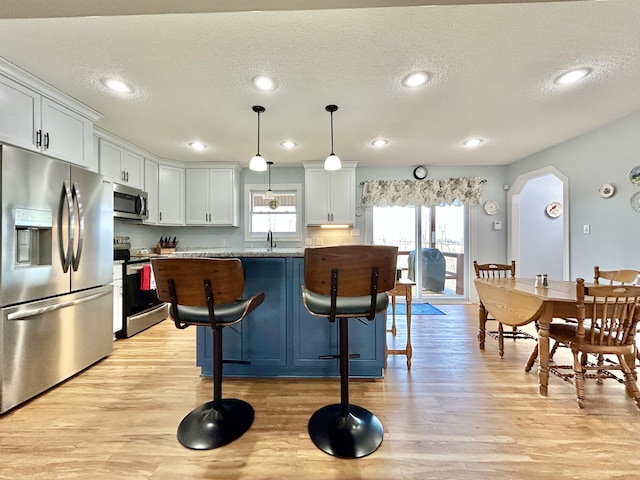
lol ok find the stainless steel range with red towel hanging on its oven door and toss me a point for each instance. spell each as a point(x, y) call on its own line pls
point(140, 305)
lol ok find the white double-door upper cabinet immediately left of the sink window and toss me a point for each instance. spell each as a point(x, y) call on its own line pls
point(212, 196)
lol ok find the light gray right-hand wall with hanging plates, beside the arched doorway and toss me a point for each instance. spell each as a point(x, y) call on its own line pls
point(604, 155)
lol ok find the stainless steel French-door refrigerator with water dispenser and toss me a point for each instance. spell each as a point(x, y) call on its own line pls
point(56, 292)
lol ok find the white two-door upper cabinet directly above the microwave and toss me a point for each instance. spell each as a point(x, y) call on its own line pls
point(120, 164)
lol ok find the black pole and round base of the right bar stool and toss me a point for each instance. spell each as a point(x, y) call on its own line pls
point(343, 429)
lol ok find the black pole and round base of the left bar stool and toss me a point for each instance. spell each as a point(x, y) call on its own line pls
point(219, 421)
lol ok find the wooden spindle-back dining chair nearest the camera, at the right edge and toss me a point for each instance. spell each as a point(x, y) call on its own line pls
point(606, 322)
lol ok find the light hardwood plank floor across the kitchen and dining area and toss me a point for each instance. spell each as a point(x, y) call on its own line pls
point(458, 414)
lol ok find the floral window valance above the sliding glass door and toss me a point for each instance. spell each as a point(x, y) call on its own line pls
point(428, 193)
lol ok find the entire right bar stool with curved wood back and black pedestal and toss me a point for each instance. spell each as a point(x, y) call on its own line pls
point(346, 282)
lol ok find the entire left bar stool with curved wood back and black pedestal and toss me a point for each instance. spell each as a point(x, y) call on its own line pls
point(206, 292)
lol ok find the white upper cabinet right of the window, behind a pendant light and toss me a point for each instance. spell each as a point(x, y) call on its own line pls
point(330, 195)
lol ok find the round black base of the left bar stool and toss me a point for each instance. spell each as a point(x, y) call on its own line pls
point(206, 428)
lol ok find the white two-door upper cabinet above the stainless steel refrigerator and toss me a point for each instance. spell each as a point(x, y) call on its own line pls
point(33, 121)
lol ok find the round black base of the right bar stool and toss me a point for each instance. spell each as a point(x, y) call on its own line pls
point(352, 436)
